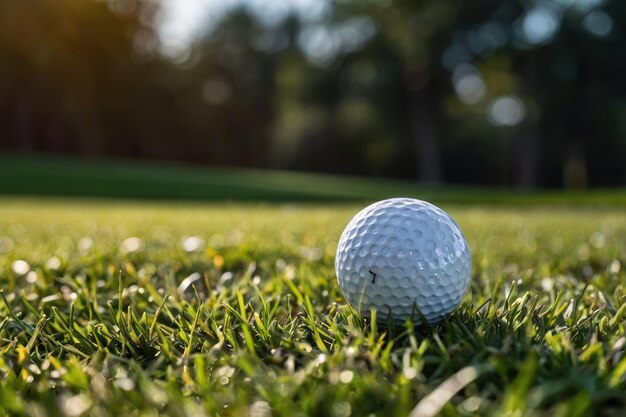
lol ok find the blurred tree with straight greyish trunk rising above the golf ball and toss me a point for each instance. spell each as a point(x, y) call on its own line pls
point(416, 33)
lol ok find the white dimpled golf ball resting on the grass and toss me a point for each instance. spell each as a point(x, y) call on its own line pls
point(401, 256)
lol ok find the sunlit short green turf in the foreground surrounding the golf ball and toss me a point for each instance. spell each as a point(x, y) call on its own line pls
point(114, 308)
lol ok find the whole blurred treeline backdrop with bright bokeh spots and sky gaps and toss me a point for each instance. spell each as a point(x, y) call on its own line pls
point(516, 93)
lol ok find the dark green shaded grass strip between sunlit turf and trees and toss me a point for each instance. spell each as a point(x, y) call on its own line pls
point(56, 176)
